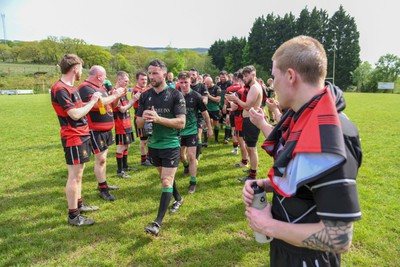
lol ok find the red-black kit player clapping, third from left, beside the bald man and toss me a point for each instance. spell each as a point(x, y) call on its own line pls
point(123, 124)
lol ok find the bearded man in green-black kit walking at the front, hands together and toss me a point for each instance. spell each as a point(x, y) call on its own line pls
point(165, 108)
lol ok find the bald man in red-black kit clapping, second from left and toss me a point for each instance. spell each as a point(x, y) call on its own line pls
point(100, 125)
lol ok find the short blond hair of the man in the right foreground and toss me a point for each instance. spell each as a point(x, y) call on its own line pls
point(304, 54)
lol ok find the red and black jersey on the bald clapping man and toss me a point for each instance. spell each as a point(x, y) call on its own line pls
point(97, 121)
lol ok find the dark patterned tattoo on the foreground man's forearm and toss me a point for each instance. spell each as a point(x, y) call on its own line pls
point(335, 237)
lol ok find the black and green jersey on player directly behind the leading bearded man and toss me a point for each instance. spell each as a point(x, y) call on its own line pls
point(194, 105)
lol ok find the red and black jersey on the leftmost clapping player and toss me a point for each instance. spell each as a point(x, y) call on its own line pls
point(64, 98)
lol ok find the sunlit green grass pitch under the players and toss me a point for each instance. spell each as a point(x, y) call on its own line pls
point(209, 230)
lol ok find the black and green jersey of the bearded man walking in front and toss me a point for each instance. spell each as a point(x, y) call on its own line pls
point(168, 104)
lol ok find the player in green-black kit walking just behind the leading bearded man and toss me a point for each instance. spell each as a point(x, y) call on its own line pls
point(189, 137)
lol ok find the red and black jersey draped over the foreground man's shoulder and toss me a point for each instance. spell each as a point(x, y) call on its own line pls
point(314, 129)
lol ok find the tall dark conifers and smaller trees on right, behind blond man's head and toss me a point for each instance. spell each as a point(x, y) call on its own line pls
point(338, 34)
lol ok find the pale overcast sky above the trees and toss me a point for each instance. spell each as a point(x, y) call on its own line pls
point(186, 24)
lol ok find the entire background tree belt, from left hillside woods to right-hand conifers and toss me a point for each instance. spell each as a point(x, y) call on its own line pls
point(338, 34)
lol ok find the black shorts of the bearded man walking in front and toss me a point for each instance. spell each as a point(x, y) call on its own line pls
point(168, 157)
